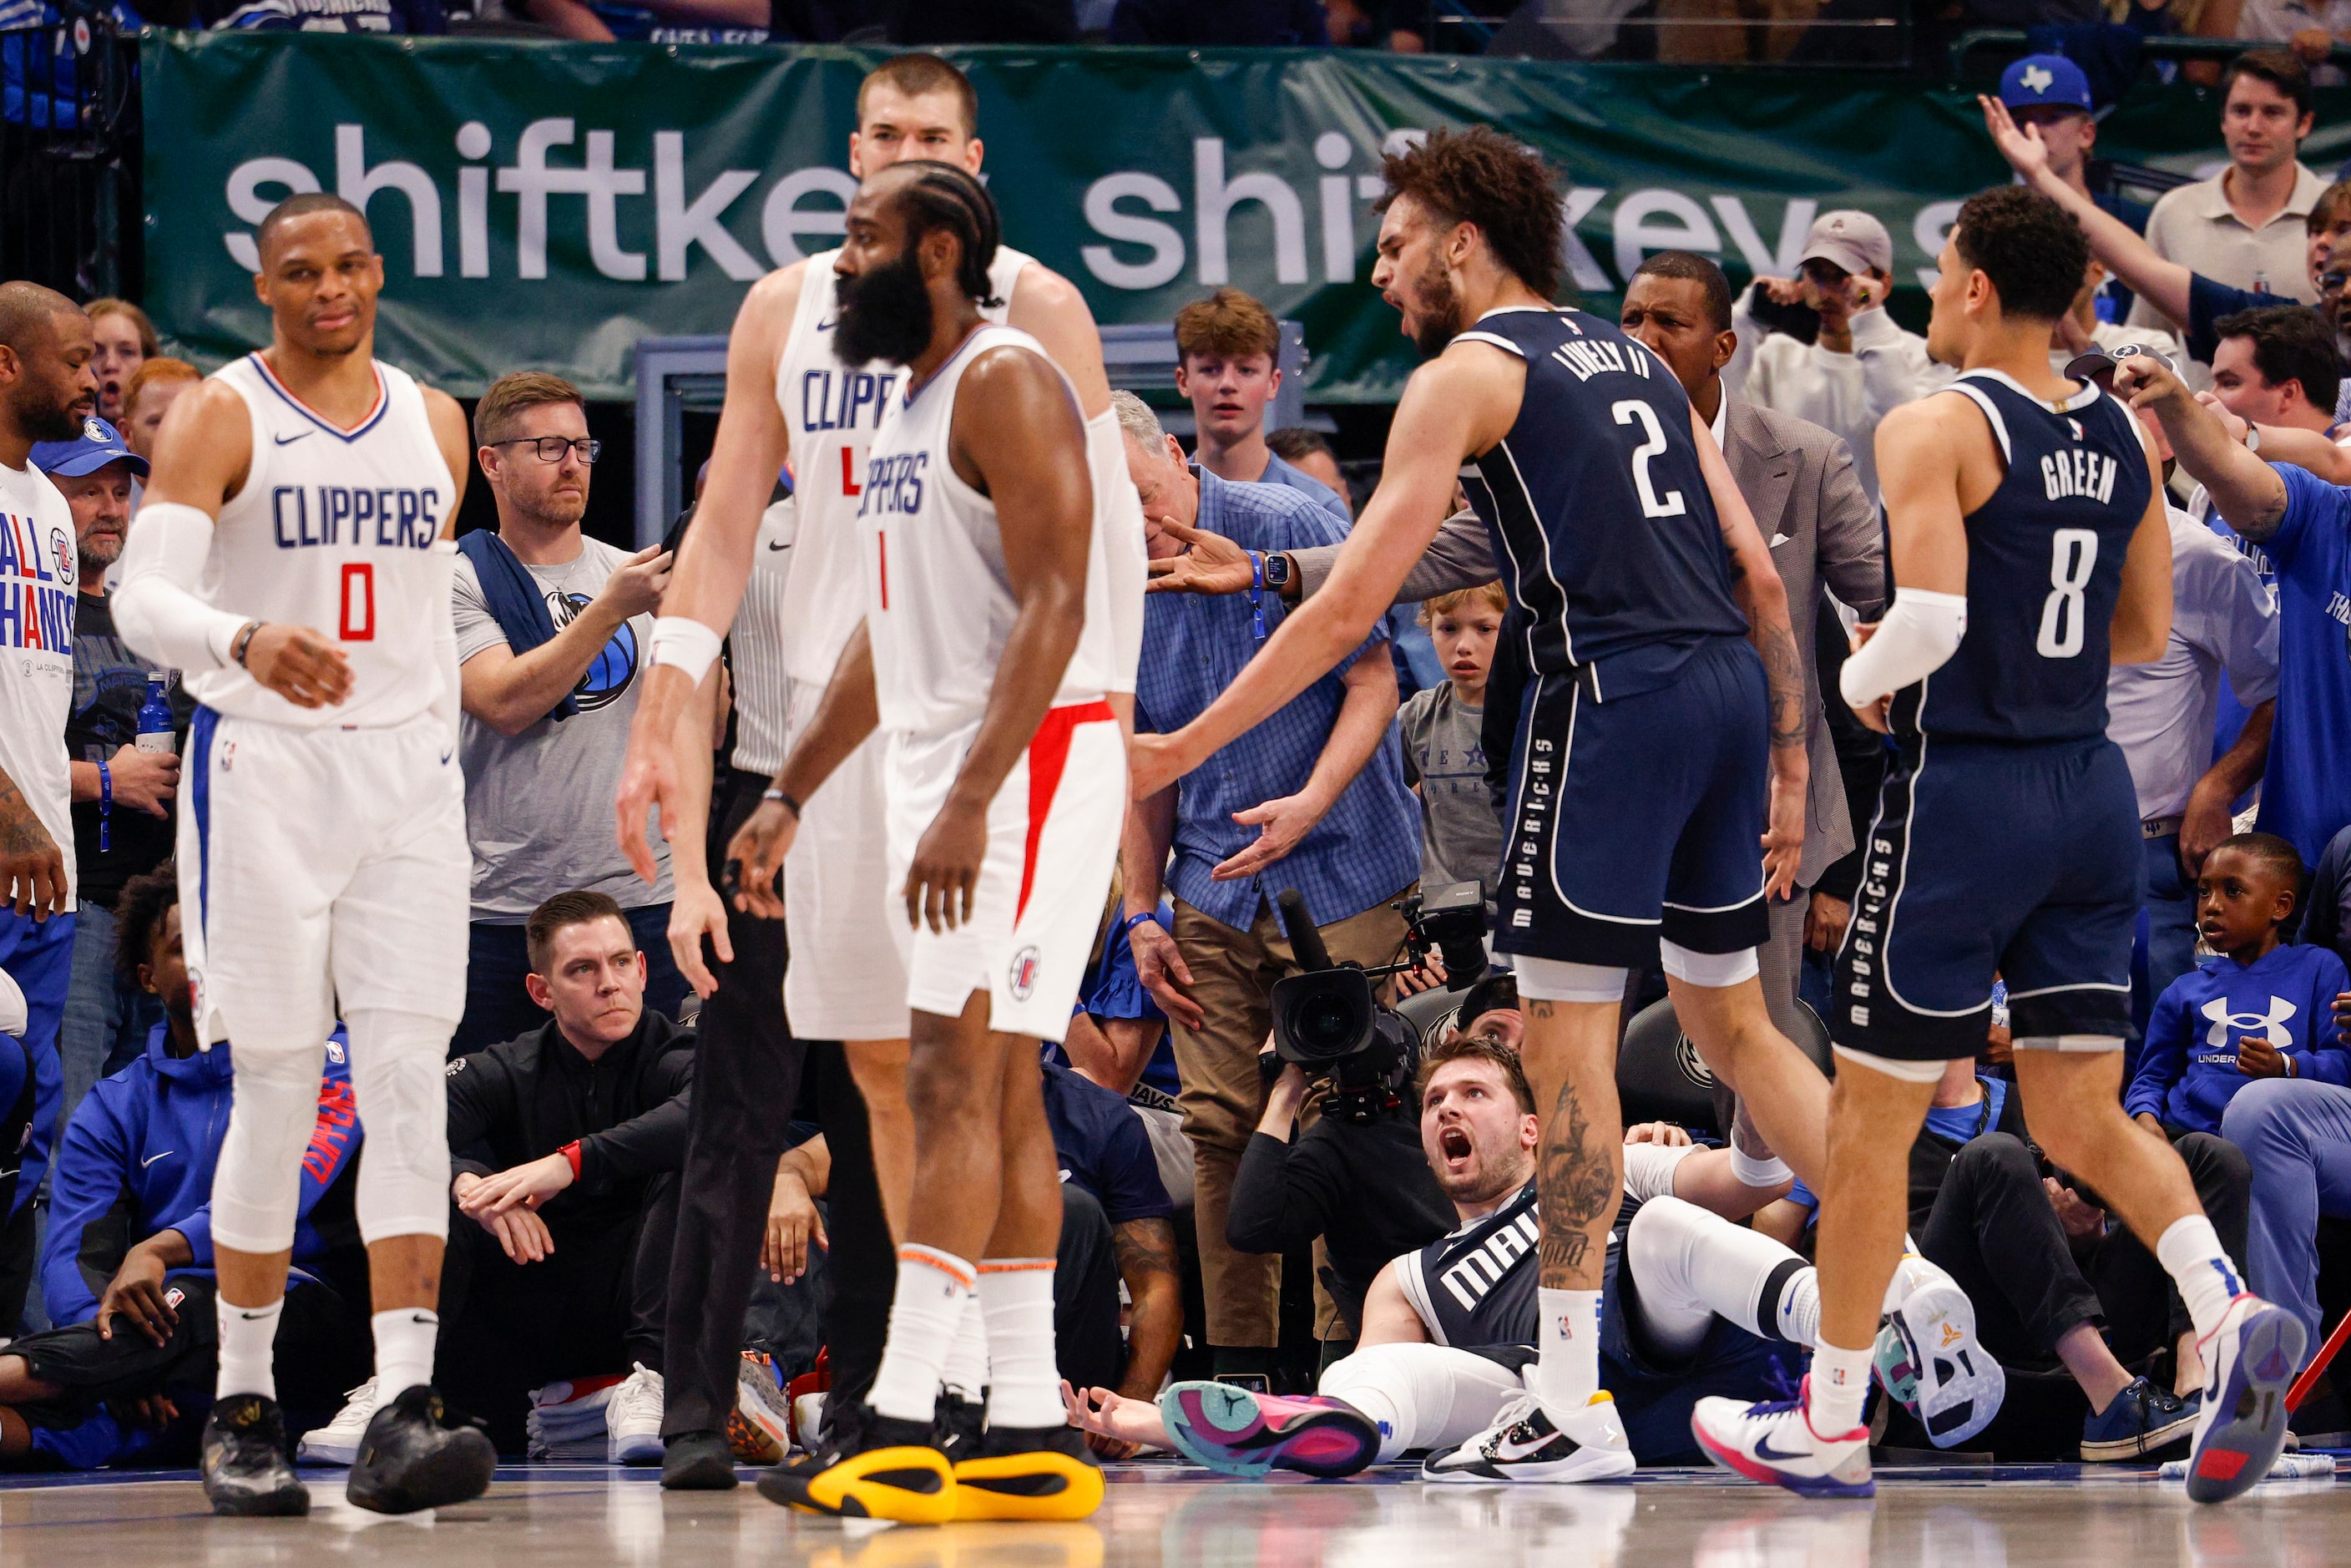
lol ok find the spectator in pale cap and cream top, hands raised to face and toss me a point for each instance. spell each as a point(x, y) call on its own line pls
point(1858, 366)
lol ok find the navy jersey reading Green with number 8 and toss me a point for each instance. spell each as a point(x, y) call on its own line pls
point(2044, 572)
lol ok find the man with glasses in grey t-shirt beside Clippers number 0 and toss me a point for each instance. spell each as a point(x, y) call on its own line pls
point(551, 634)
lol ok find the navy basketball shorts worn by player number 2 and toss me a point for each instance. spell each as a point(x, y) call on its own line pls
point(1640, 817)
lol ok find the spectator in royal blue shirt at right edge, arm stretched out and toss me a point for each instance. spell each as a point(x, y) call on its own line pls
point(2303, 528)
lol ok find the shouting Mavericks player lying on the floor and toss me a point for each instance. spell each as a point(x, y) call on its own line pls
point(1694, 1304)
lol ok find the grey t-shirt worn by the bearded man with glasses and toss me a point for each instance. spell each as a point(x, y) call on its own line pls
point(540, 805)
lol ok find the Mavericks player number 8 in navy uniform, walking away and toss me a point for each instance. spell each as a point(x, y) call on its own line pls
point(2030, 554)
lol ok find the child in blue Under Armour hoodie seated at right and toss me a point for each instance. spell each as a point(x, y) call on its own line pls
point(2260, 1010)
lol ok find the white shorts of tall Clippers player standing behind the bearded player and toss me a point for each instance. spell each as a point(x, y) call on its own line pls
point(848, 979)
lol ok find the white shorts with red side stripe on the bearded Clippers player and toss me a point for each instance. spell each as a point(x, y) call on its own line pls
point(1052, 843)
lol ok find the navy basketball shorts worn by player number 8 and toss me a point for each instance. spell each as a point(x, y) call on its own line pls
point(2016, 862)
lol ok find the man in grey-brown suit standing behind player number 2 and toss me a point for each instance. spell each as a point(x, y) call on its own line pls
point(1804, 495)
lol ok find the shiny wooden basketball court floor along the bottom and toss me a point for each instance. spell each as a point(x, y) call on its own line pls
point(1177, 1517)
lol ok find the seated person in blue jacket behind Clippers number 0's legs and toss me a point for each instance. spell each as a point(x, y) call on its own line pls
point(128, 1259)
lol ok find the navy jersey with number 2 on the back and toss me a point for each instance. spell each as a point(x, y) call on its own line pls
point(1600, 509)
